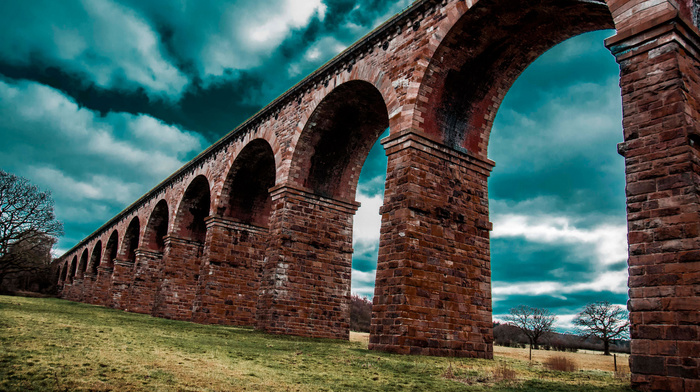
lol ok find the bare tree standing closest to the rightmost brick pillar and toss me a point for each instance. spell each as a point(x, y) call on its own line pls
point(604, 321)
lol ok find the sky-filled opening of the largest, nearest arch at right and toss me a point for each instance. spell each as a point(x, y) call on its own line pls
point(566, 180)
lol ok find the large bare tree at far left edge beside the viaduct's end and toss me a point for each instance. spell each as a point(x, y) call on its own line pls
point(27, 226)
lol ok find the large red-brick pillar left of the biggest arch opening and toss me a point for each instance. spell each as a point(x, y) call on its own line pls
point(433, 288)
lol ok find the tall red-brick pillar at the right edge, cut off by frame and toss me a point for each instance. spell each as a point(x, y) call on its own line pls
point(660, 82)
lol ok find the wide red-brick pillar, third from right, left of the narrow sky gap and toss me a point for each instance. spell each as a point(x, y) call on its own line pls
point(305, 286)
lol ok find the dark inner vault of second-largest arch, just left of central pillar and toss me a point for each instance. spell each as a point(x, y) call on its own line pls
point(337, 138)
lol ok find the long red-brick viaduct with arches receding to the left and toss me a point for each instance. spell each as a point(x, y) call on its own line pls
point(257, 229)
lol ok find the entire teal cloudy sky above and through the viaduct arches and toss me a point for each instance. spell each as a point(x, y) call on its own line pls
point(101, 100)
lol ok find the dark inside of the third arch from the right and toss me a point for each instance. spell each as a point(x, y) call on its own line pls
point(245, 196)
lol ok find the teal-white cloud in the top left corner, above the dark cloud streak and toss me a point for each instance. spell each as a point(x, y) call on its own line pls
point(110, 44)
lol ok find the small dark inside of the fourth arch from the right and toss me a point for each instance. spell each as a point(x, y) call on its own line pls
point(193, 209)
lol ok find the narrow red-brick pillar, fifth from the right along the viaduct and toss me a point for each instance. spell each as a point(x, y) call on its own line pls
point(176, 293)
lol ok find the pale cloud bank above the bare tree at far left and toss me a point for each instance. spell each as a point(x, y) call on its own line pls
point(95, 165)
